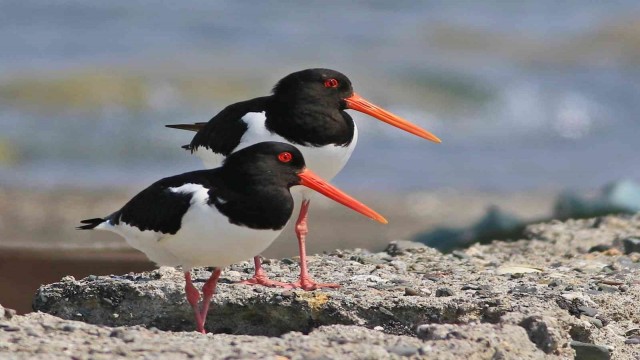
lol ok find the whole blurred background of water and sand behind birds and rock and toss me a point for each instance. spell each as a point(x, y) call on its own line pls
point(531, 98)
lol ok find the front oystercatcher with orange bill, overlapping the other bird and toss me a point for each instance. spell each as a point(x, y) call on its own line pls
point(220, 216)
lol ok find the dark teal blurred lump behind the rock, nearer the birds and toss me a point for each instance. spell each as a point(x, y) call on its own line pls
point(496, 224)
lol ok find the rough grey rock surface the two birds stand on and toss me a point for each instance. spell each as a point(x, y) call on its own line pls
point(567, 288)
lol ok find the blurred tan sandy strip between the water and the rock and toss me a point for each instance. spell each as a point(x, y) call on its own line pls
point(39, 243)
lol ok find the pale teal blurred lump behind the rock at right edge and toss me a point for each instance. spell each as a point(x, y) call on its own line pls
point(619, 197)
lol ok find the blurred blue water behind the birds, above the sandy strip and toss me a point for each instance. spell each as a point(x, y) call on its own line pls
point(509, 119)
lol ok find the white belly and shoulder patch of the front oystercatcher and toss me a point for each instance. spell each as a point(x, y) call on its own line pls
point(205, 238)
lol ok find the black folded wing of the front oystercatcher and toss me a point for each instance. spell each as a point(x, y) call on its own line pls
point(157, 208)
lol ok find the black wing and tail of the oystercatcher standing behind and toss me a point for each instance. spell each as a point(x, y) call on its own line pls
point(224, 131)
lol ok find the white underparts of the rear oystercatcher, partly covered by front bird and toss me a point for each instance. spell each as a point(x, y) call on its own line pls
point(326, 161)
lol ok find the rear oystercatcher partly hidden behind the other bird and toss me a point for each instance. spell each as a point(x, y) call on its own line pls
point(306, 110)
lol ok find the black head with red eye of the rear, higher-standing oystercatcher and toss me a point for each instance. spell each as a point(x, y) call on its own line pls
point(320, 86)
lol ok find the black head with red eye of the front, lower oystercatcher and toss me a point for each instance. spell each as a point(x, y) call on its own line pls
point(266, 163)
